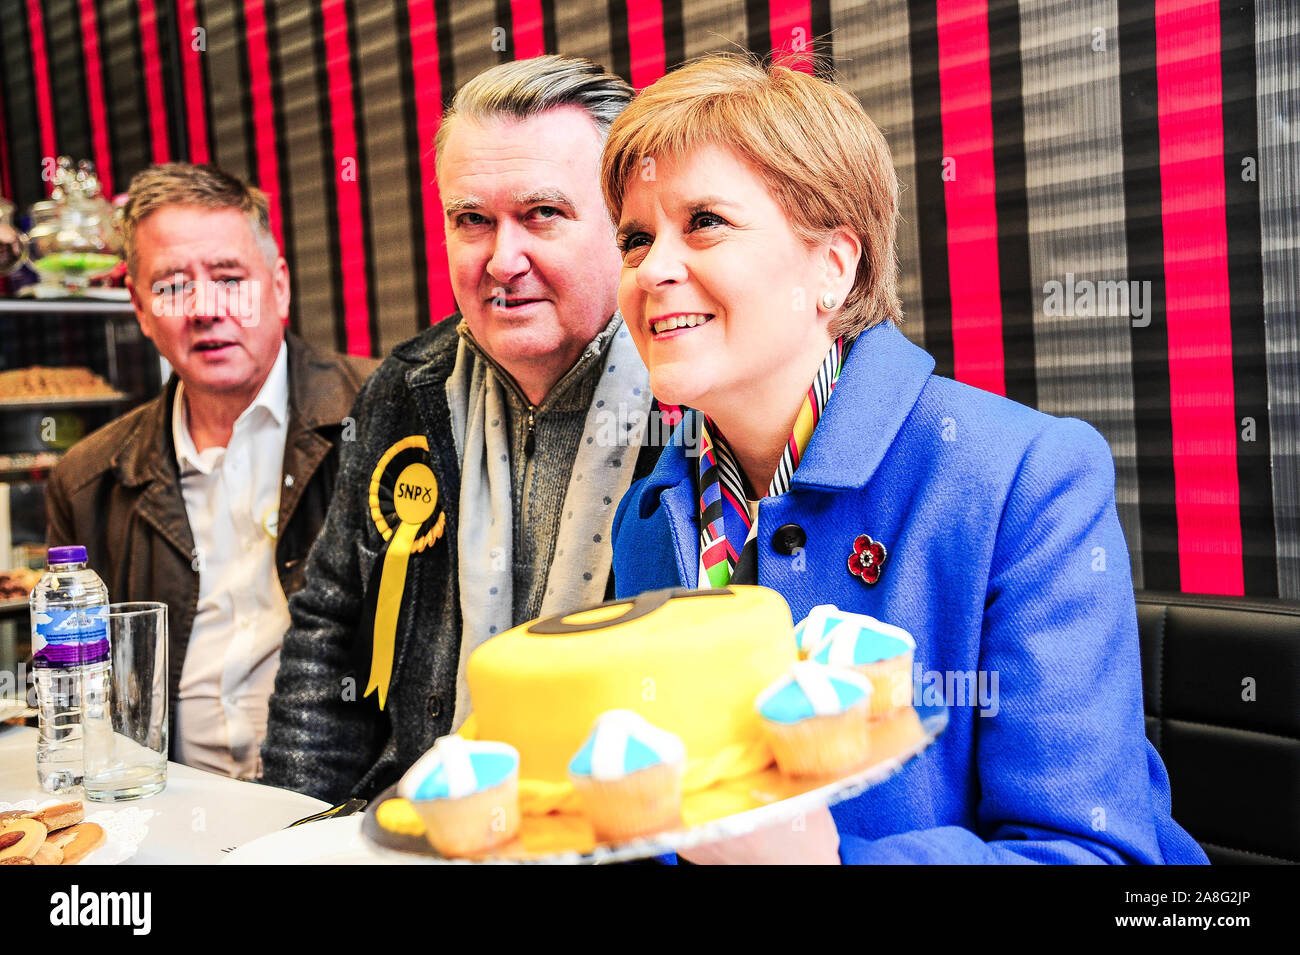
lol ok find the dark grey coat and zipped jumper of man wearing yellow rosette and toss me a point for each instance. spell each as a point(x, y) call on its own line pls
point(323, 737)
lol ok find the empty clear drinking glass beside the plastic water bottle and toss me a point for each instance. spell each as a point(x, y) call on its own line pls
point(124, 717)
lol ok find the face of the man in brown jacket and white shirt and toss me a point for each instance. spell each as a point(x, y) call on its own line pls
point(207, 298)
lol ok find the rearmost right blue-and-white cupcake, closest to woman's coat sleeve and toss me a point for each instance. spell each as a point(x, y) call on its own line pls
point(879, 652)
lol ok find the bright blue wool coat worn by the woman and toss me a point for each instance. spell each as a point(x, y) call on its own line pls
point(1007, 559)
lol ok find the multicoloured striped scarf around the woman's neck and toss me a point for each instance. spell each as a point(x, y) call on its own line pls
point(725, 511)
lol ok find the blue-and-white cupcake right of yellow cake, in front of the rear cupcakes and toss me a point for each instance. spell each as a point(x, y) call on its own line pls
point(817, 719)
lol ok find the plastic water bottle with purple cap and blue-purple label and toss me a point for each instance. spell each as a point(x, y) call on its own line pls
point(70, 644)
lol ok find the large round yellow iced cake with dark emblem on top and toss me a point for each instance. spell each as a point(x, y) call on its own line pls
point(690, 662)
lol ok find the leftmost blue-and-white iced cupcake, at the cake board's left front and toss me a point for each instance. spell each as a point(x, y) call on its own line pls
point(467, 793)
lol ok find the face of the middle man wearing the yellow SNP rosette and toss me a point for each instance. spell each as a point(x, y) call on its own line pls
point(534, 263)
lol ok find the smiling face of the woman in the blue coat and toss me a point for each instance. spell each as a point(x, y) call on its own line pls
point(718, 290)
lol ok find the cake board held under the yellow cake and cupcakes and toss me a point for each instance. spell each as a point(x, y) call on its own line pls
point(726, 810)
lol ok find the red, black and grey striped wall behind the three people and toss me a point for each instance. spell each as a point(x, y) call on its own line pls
point(1043, 145)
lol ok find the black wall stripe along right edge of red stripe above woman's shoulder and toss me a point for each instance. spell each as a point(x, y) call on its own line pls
point(1016, 284)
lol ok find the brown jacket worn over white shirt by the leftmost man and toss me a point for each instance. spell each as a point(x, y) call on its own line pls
point(119, 493)
